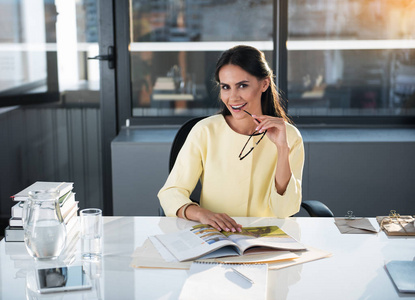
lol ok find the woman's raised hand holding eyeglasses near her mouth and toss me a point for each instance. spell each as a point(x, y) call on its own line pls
point(276, 129)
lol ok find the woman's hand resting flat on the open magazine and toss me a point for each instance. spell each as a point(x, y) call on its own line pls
point(219, 221)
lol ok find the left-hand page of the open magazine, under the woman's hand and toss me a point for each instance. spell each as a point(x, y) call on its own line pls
point(196, 242)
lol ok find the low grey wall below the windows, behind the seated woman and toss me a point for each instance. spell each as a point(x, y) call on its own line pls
point(363, 174)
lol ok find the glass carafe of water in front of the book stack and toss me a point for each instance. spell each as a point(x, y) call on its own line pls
point(44, 228)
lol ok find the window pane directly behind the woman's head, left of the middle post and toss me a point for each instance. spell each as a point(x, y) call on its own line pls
point(174, 46)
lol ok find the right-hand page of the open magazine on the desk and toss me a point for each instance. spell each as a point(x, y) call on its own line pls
point(263, 236)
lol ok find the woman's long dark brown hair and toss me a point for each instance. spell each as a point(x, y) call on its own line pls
point(253, 61)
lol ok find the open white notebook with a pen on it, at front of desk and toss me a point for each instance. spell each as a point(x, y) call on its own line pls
point(225, 281)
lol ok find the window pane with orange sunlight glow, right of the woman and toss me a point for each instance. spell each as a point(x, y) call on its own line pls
point(351, 58)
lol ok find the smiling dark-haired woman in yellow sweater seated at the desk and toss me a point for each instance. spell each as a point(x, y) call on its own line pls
point(263, 182)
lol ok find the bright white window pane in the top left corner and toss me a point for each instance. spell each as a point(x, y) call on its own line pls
point(23, 38)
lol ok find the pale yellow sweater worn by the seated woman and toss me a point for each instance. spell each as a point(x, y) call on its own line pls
point(239, 188)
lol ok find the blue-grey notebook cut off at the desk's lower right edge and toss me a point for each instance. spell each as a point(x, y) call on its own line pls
point(403, 275)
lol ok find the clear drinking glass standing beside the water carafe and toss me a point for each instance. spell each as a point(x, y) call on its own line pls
point(91, 233)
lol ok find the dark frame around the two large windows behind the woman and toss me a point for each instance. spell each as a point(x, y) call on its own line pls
point(280, 67)
